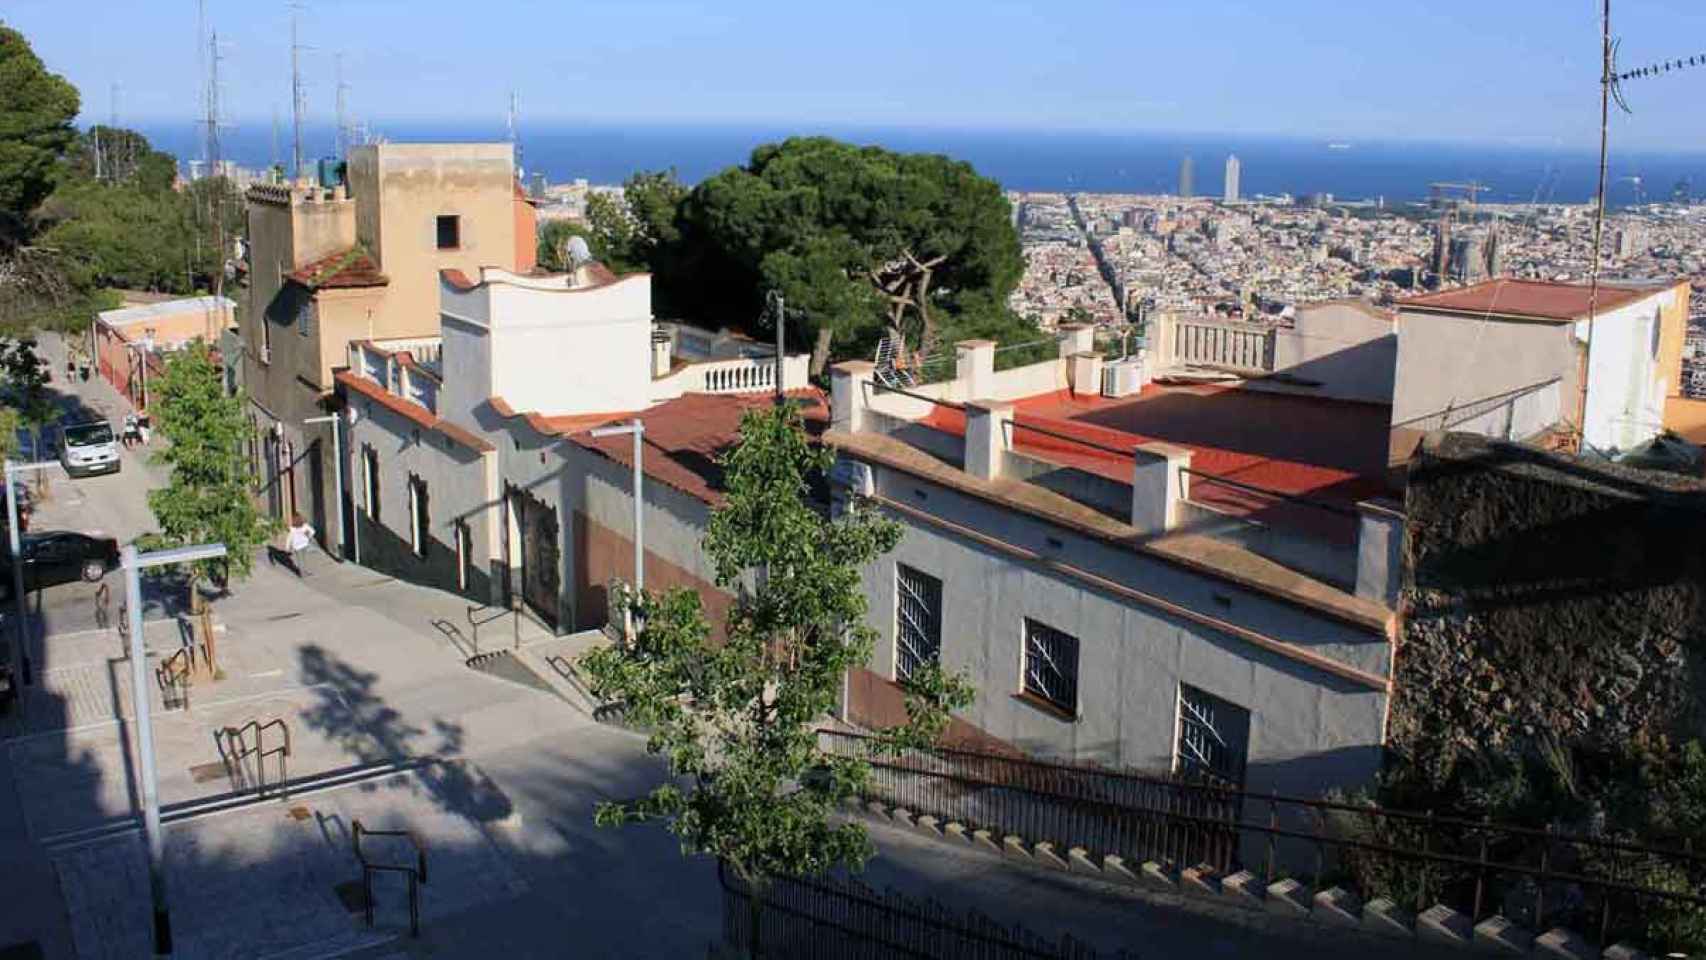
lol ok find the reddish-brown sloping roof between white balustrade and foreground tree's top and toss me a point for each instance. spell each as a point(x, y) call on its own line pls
point(685, 437)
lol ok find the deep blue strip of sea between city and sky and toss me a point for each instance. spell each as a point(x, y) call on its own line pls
point(1035, 159)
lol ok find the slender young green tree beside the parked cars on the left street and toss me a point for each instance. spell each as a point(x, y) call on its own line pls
point(207, 499)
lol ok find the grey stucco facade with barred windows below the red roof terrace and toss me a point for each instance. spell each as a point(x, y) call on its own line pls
point(1309, 729)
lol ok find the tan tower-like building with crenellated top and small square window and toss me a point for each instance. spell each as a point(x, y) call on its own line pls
point(361, 260)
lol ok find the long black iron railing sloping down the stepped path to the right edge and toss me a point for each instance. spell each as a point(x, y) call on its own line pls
point(1604, 888)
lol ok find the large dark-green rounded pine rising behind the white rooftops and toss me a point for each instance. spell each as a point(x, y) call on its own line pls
point(859, 238)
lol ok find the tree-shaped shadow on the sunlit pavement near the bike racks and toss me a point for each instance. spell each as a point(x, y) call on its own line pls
point(349, 714)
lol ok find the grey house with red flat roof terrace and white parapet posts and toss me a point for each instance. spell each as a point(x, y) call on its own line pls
point(1178, 579)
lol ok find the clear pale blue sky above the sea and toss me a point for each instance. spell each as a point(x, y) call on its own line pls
point(1488, 71)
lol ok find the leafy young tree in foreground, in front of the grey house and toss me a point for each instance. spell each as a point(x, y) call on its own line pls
point(736, 719)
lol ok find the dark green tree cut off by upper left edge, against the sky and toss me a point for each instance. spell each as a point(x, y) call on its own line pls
point(37, 112)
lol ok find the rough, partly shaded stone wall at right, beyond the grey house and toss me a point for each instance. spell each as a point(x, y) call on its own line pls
point(1546, 596)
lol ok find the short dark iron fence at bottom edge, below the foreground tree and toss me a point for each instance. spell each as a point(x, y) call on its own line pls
point(844, 920)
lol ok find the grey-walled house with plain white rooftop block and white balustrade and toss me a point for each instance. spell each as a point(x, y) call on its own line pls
point(475, 466)
